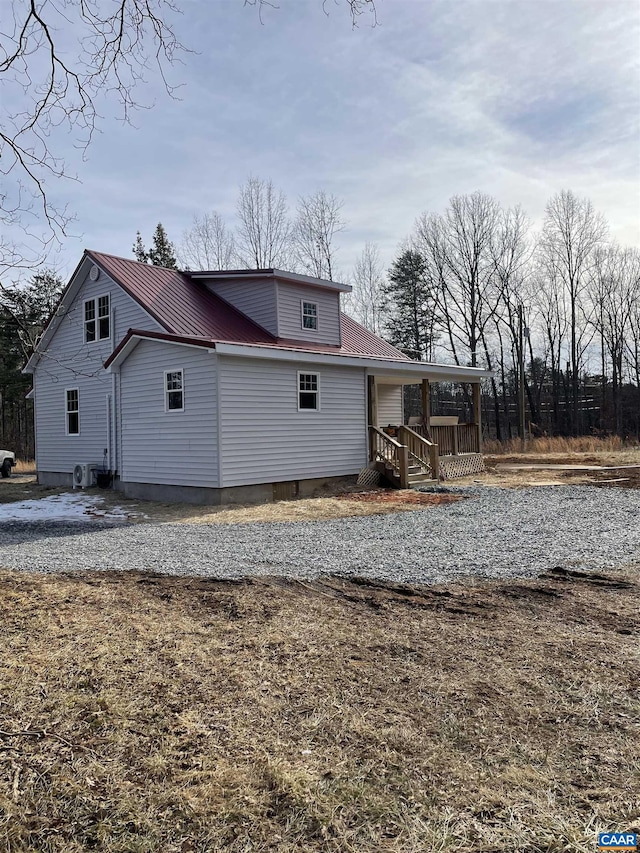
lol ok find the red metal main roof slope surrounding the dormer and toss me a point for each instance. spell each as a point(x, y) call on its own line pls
point(185, 308)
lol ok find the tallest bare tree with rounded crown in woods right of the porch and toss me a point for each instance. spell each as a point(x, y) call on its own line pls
point(571, 233)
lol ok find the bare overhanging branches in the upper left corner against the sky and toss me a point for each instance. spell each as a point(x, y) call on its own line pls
point(50, 90)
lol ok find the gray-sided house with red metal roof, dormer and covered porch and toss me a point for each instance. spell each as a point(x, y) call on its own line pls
point(225, 386)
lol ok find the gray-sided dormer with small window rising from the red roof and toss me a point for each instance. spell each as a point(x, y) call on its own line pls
point(289, 306)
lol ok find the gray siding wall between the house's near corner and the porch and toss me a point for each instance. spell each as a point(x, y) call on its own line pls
point(264, 438)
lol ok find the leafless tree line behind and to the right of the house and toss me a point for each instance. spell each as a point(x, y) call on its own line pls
point(555, 315)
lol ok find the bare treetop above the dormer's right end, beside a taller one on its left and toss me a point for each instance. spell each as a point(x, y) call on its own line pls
point(318, 221)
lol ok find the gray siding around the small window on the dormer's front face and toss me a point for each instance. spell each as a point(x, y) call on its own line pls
point(290, 298)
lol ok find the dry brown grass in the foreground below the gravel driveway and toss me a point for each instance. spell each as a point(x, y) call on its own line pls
point(140, 713)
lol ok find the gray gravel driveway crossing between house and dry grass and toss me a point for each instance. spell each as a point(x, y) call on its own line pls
point(495, 533)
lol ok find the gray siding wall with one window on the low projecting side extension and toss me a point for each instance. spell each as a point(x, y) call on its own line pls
point(175, 448)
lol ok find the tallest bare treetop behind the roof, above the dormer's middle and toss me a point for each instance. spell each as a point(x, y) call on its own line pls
point(263, 238)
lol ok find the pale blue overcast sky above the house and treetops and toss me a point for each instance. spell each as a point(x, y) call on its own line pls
point(516, 98)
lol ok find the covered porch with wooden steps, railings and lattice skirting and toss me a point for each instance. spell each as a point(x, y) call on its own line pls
point(427, 448)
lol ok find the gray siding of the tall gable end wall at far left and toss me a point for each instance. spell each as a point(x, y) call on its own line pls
point(70, 363)
